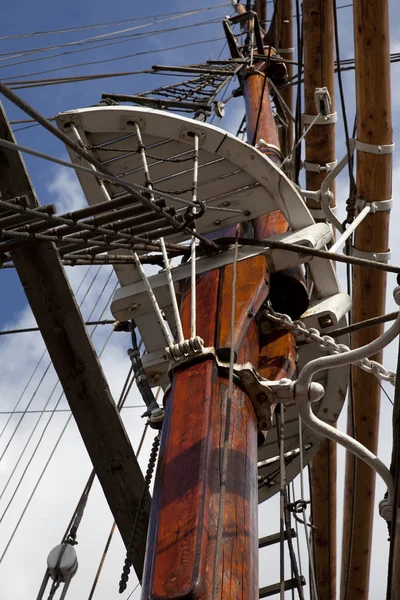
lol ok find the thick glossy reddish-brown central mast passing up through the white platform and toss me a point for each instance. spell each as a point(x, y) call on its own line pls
point(186, 557)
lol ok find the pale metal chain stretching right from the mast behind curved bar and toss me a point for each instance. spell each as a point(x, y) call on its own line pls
point(329, 344)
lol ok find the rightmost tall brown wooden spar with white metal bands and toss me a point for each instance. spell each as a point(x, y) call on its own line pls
point(374, 128)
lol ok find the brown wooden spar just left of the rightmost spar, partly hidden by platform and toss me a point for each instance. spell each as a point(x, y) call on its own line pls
point(318, 39)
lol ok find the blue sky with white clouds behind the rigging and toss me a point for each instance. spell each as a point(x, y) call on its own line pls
point(53, 503)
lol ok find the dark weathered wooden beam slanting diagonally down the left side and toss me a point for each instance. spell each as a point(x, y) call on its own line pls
point(75, 361)
